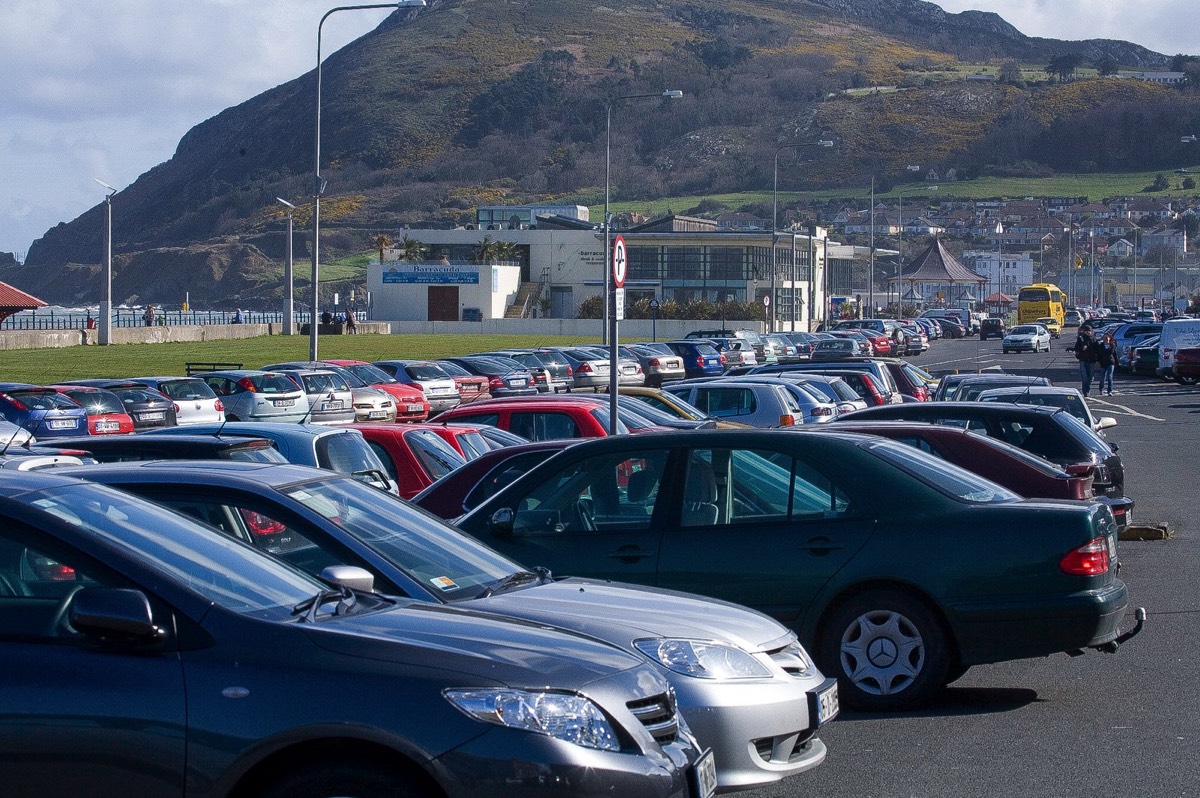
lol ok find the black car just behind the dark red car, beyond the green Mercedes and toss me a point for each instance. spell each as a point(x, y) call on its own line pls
point(1046, 431)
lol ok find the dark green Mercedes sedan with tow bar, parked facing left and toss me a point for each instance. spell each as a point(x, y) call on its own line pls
point(892, 608)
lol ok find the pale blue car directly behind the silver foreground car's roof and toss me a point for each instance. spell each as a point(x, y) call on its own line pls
point(337, 448)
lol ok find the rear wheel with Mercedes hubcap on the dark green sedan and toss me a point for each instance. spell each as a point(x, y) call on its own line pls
point(887, 650)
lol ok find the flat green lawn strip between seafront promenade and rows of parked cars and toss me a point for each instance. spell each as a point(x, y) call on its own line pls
point(47, 367)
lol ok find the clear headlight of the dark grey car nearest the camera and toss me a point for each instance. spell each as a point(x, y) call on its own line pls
point(562, 716)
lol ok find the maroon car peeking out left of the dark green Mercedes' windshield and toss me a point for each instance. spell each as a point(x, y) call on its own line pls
point(469, 485)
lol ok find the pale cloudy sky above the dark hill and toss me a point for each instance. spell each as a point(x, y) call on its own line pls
point(107, 89)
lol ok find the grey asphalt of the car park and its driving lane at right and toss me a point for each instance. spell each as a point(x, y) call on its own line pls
point(1124, 724)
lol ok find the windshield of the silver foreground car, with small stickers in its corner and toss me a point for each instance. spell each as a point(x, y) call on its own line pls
point(425, 548)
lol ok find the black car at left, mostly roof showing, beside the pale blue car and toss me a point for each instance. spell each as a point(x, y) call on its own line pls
point(152, 446)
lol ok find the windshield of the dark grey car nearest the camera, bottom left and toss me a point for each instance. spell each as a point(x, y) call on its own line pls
point(214, 566)
